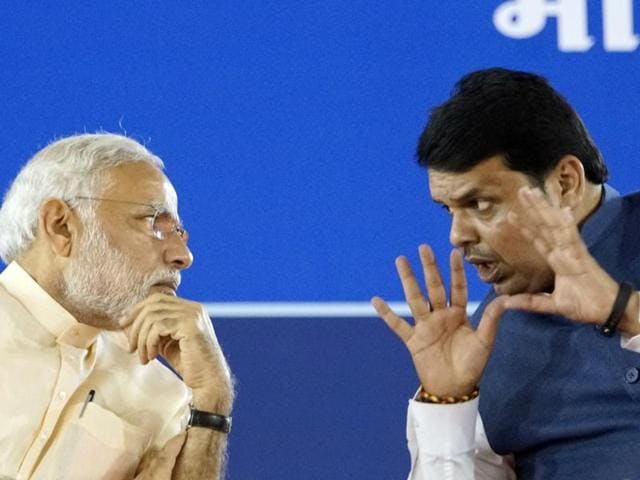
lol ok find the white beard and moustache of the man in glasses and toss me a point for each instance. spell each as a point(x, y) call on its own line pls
point(101, 285)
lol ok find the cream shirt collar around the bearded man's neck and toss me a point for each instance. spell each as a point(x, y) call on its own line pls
point(60, 323)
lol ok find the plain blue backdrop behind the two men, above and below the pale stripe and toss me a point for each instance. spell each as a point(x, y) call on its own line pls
point(288, 129)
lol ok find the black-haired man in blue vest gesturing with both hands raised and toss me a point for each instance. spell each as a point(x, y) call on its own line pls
point(543, 381)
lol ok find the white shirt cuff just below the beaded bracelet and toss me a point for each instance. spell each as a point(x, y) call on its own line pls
point(443, 430)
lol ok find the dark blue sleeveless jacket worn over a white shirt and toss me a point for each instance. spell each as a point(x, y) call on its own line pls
point(561, 397)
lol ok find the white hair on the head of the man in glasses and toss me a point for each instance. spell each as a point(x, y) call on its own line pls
point(64, 169)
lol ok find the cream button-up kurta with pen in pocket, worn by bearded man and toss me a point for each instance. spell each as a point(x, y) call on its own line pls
point(48, 364)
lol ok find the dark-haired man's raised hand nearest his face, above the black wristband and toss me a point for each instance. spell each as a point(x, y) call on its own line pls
point(582, 290)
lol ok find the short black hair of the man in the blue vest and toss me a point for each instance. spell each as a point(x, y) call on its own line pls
point(514, 114)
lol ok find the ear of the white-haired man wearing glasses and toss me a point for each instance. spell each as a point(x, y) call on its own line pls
point(58, 226)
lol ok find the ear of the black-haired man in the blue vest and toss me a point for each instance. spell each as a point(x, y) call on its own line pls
point(566, 182)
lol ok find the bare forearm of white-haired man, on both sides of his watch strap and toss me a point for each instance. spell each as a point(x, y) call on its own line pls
point(203, 455)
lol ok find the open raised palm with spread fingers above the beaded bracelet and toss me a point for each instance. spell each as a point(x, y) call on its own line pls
point(448, 354)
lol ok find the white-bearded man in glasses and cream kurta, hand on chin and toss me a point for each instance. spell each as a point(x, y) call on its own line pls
point(94, 248)
